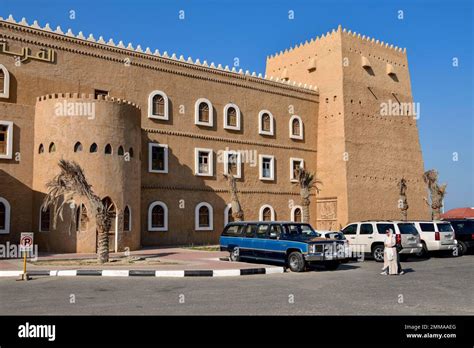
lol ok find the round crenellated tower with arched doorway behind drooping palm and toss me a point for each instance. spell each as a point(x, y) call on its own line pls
point(104, 137)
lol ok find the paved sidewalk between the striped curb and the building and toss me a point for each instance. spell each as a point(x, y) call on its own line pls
point(158, 259)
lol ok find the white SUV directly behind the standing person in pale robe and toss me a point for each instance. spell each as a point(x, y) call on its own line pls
point(368, 237)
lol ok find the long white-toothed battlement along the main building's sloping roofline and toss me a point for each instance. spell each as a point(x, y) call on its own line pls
point(148, 53)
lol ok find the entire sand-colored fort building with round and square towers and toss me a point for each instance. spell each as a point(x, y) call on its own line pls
point(152, 132)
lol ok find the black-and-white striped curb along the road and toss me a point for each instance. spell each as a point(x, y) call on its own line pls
point(147, 273)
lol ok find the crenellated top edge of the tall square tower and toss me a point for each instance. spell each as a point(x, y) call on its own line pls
point(331, 35)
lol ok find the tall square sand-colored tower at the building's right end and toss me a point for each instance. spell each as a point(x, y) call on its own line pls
point(367, 135)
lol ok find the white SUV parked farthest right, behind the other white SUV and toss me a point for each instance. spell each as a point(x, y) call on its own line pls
point(435, 236)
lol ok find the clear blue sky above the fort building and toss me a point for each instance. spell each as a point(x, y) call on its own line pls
point(433, 31)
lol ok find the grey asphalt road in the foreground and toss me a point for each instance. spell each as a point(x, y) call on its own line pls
point(435, 286)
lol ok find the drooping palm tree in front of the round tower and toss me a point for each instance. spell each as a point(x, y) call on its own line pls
point(71, 184)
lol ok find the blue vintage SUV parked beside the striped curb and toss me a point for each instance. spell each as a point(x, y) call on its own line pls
point(296, 245)
